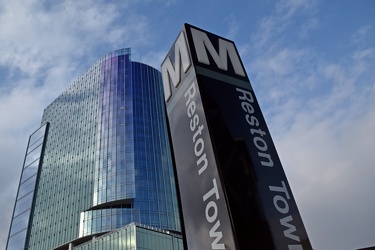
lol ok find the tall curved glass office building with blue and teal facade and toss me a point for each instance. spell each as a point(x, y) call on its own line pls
point(100, 166)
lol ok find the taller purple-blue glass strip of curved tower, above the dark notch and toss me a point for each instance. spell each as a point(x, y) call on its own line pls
point(111, 166)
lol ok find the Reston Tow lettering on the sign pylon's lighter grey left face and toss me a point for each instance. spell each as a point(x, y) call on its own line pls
point(211, 197)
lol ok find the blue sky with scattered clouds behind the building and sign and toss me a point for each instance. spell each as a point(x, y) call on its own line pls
point(311, 64)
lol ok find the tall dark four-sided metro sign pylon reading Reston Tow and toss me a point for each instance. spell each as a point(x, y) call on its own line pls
point(233, 190)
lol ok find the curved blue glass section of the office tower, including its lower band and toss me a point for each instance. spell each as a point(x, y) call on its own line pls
point(133, 171)
